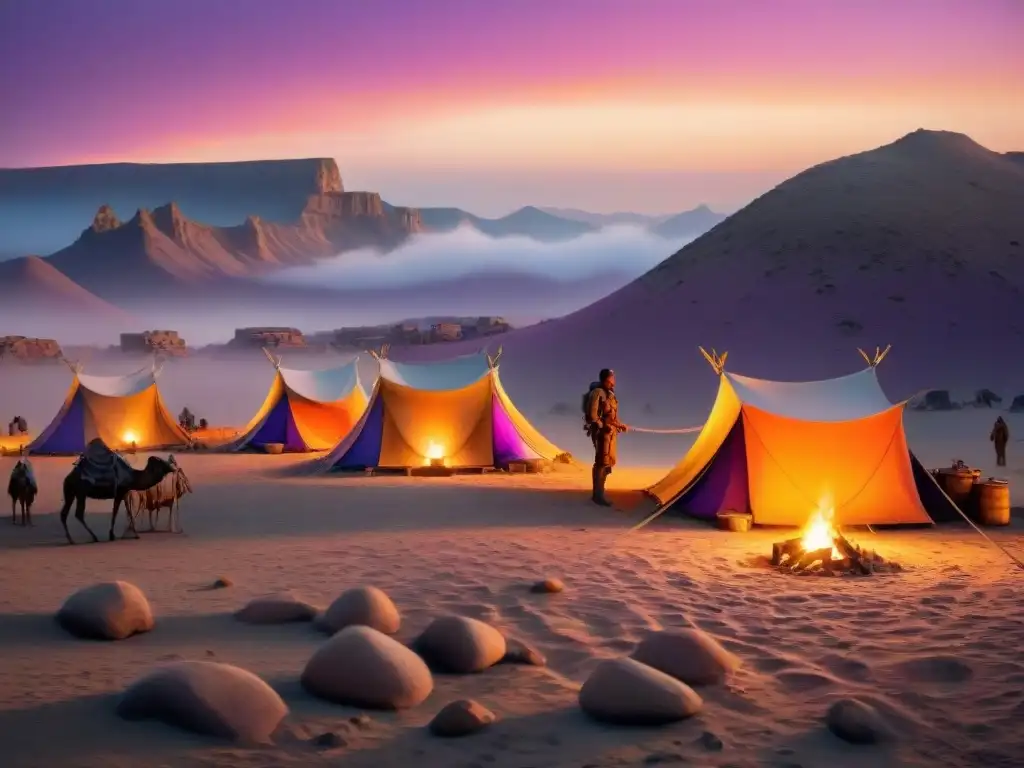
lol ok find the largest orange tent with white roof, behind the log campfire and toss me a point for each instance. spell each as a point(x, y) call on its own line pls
point(781, 450)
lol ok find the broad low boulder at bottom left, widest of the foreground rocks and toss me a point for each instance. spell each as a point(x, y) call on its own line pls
point(207, 698)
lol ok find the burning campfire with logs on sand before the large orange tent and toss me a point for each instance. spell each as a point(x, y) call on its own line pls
point(823, 549)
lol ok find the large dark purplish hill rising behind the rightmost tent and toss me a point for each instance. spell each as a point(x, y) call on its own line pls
point(919, 244)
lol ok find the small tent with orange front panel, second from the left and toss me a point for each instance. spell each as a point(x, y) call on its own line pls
point(307, 410)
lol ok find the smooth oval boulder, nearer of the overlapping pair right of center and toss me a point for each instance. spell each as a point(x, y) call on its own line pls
point(624, 692)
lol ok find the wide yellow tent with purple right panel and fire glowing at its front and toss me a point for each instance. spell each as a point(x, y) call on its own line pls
point(458, 411)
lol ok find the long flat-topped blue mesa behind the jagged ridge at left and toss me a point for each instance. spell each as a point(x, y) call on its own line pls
point(42, 209)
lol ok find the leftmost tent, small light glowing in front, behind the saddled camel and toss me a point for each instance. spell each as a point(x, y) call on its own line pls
point(124, 412)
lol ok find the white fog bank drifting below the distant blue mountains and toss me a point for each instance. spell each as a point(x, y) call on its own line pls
point(626, 251)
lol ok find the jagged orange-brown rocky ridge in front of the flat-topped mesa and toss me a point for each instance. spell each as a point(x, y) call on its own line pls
point(163, 247)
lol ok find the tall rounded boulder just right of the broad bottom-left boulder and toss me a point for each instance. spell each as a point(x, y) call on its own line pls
point(362, 667)
